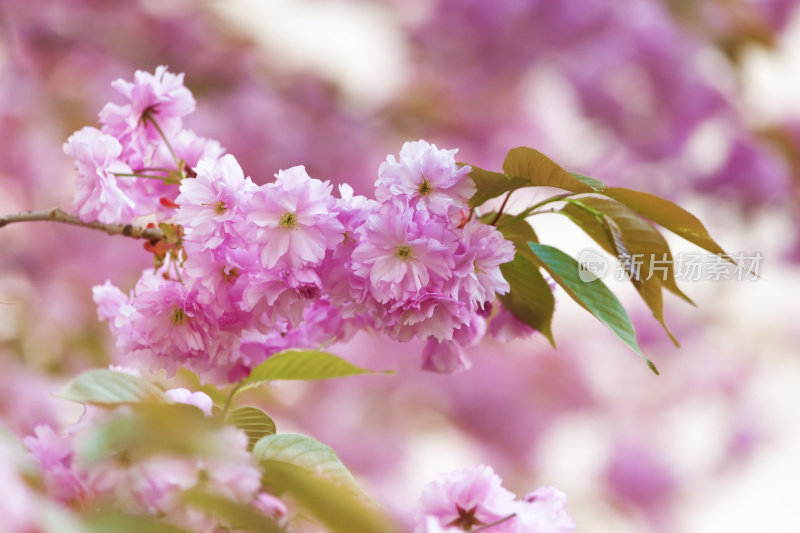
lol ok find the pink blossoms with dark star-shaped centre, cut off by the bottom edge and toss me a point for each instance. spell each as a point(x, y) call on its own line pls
point(473, 498)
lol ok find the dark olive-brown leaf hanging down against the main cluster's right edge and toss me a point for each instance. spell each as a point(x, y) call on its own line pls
point(530, 298)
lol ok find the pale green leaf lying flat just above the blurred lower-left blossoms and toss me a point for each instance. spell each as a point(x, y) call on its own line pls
point(107, 387)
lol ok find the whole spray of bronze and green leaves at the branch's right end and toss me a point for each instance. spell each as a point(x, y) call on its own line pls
point(618, 219)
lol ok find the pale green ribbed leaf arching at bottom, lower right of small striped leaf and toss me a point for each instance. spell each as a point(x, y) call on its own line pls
point(309, 453)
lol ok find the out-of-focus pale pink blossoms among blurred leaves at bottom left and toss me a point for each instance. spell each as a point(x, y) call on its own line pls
point(154, 484)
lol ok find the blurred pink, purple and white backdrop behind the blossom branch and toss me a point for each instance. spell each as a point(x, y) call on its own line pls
point(695, 101)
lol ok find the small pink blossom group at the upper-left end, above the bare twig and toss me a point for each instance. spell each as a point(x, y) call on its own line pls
point(125, 168)
